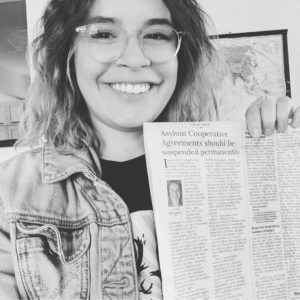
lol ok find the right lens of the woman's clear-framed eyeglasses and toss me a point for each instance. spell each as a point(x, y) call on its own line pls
point(160, 43)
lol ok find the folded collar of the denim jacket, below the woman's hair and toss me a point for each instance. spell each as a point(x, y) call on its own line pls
point(57, 166)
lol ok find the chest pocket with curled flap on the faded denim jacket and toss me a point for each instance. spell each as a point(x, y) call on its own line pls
point(53, 261)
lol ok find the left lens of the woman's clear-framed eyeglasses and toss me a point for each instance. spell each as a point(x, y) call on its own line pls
point(104, 42)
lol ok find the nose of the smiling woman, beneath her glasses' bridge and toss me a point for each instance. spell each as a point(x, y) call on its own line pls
point(133, 56)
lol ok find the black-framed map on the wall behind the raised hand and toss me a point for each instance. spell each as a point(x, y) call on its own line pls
point(257, 67)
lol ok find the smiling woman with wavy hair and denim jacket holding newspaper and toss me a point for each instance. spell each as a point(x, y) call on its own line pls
point(104, 67)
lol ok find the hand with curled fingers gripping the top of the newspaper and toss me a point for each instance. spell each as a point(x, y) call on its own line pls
point(265, 115)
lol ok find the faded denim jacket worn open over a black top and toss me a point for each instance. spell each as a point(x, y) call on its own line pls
point(64, 233)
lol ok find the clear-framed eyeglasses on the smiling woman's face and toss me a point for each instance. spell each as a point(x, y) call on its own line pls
point(107, 42)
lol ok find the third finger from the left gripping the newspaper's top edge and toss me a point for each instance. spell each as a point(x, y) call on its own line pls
point(283, 110)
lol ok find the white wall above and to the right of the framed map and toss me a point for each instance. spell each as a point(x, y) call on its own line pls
point(233, 16)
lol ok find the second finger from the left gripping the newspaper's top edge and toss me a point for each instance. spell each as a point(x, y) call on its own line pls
point(268, 115)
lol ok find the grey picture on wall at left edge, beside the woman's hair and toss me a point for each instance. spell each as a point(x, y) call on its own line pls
point(14, 73)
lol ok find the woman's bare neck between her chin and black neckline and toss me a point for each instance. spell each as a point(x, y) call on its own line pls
point(119, 145)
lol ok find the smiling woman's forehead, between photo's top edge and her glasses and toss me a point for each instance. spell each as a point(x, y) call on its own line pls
point(130, 13)
